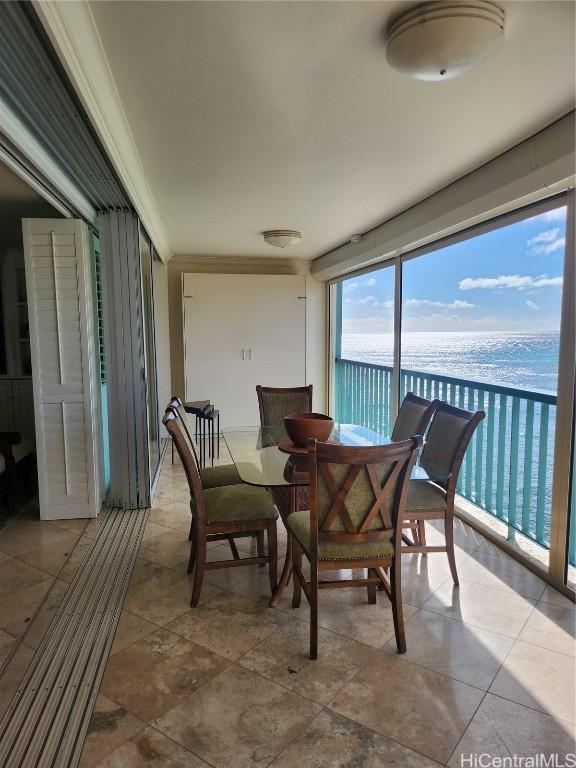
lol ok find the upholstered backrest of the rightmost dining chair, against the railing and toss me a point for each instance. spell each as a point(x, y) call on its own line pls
point(448, 438)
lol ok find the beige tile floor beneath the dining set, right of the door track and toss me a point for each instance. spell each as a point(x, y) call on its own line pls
point(490, 666)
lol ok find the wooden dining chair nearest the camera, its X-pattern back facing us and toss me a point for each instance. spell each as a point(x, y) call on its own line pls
point(357, 495)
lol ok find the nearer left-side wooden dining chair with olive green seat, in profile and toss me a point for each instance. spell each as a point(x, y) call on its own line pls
point(217, 513)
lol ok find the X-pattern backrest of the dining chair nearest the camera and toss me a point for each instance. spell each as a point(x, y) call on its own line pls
point(357, 493)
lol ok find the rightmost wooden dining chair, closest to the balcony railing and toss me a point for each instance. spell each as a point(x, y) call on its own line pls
point(448, 438)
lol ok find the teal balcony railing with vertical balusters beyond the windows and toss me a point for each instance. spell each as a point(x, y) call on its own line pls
point(501, 459)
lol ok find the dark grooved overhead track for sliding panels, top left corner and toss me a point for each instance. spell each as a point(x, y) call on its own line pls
point(45, 115)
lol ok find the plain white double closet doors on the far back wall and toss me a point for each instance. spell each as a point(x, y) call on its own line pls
point(239, 331)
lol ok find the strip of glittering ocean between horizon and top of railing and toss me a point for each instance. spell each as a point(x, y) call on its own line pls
point(522, 360)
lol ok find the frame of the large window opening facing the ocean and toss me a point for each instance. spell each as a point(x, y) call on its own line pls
point(565, 409)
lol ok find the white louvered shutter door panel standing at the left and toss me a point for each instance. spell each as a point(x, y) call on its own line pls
point(60, 301)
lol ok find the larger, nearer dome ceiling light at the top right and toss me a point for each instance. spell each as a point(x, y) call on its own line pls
point(440, 40)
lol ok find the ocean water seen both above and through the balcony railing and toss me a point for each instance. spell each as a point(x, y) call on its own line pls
point(521, 361)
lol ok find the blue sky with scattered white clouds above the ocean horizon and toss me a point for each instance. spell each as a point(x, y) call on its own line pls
point(509, 279)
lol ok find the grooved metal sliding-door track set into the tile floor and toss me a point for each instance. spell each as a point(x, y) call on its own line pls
point(47, 720)
